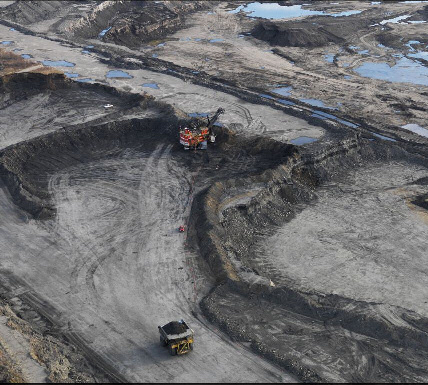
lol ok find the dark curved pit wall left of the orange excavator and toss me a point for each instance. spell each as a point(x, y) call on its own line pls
point(26, 166)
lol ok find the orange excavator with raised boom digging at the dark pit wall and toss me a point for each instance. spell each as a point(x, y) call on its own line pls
point(198, 134)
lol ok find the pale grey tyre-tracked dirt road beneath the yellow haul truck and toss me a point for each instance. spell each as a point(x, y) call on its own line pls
point(116, 267)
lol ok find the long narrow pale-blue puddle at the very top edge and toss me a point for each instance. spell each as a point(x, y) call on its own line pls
point(277, 11)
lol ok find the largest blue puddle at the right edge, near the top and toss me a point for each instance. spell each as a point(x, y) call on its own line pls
point(404, 71)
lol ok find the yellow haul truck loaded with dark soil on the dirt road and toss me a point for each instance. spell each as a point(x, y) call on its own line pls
point(177, 336)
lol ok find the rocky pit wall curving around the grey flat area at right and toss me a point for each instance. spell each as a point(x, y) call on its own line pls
point(224, 242)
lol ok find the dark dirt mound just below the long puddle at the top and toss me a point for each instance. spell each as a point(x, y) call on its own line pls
point(284, 35)
